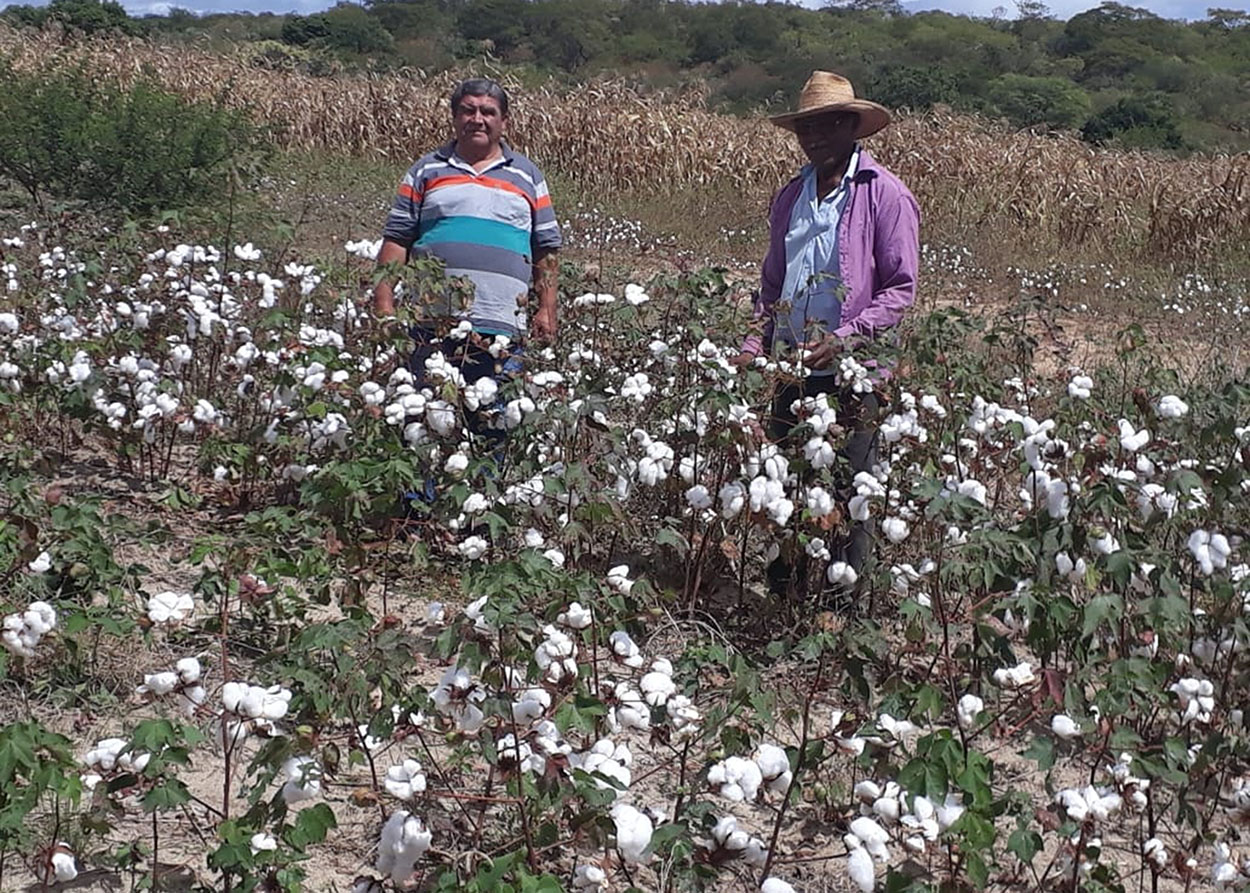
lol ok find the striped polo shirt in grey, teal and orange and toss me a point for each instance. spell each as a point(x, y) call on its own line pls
point(484, 226)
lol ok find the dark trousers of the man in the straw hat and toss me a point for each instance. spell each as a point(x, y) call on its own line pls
point(859, 416)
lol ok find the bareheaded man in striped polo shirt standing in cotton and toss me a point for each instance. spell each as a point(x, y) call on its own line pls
point(486, 212)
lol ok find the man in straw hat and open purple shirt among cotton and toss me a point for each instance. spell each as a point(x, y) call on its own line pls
point(841, 272)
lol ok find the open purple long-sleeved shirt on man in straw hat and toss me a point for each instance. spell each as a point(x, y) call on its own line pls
point(878, 256)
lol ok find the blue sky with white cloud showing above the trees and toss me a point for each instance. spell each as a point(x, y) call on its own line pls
point(1061, 9)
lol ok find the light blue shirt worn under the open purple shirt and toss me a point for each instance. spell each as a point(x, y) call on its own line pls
point(813, 286)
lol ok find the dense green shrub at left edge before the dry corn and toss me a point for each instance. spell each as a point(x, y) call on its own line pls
point(137, 148)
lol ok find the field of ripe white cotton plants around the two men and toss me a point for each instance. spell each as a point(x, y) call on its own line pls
point(281, 615)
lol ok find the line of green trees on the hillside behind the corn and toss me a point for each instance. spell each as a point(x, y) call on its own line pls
point(1118, 74)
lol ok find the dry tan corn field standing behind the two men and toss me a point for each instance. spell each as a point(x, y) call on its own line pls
point(974, 178)
